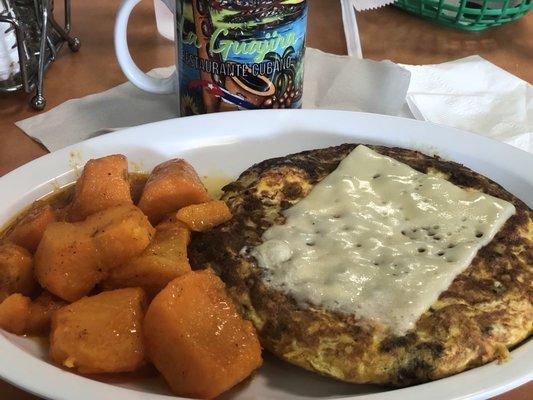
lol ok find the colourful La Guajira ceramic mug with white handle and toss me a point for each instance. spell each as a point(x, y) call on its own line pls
point(230, 54)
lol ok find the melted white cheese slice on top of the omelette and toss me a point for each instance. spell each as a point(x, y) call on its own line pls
point(378, 239)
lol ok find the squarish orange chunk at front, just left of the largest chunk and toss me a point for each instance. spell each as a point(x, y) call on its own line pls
point(100, 333)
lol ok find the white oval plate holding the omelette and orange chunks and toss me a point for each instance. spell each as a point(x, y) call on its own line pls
point(228, 144)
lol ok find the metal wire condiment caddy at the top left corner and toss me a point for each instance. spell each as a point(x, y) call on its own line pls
point(39, 37)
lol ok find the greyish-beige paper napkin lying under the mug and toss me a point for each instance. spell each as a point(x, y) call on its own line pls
point(331, 82)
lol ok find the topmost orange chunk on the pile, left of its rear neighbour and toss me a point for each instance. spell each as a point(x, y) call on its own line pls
point(102, 184)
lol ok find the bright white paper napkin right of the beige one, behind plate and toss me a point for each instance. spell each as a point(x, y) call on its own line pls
point(474, 95)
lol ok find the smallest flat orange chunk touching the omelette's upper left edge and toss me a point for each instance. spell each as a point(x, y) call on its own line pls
point(205, 216)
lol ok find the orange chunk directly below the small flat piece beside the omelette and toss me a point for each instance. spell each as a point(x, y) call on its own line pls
point(162, 261)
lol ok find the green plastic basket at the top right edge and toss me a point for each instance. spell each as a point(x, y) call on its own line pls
point(472, 15)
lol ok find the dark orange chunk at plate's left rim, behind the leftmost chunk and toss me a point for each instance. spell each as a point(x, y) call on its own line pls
point(28, 231)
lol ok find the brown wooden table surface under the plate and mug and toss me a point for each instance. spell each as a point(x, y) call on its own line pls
point(386, 33)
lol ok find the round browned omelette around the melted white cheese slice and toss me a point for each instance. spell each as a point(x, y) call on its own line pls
point(486, 311)
